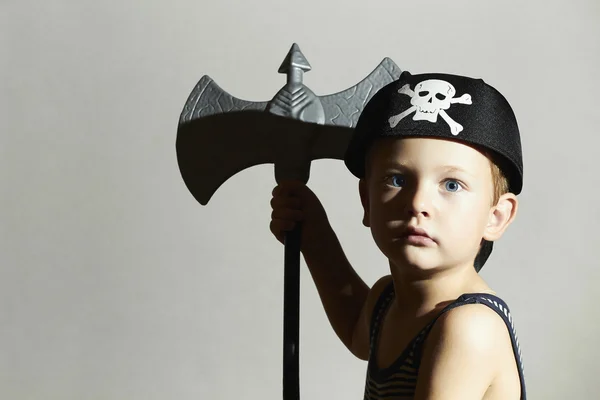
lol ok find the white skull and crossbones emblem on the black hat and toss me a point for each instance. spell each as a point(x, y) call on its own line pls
point(430, 98)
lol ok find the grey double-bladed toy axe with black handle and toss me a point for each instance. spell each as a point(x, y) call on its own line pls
point(220, 135)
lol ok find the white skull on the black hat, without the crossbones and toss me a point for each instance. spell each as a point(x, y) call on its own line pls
point(430, 97)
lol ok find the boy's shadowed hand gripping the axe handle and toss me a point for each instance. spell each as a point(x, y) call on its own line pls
point(293, 202)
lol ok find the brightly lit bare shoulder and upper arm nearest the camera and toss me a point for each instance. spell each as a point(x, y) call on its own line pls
point(463, 354)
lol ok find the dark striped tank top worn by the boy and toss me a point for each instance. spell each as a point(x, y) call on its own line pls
point(399, 380)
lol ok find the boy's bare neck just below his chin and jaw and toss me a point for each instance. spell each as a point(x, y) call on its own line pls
point(420, 292)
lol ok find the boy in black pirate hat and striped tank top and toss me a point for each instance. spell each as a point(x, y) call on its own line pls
point(439, 163)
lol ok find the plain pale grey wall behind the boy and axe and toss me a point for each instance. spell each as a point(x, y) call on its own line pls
point(116, 284)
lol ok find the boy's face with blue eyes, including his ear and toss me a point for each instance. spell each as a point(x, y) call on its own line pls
point(440, 186)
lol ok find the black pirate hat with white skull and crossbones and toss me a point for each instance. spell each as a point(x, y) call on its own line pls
point(448, 106)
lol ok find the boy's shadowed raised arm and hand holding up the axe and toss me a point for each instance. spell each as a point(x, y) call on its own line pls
point(345, 296)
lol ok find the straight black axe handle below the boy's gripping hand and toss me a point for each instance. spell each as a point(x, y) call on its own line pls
point(291, 315)
